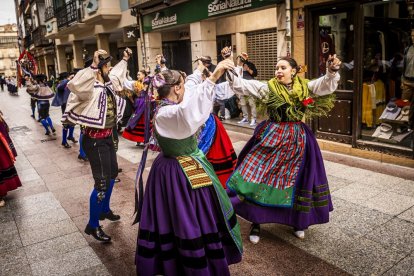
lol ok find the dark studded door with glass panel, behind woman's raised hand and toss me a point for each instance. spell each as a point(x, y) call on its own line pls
point(333, 33)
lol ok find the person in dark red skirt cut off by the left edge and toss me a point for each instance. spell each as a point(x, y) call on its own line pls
point(9, 180)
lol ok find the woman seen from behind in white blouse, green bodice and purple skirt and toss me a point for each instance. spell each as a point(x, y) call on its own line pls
point(187, 225)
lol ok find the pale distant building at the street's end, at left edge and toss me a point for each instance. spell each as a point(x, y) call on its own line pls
point(9, 50)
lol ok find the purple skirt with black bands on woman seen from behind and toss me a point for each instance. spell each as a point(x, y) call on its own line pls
point(181, 231)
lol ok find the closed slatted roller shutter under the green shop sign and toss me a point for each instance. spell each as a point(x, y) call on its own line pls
point(261, 48)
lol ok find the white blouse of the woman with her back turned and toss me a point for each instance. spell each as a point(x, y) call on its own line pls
point(184, 119)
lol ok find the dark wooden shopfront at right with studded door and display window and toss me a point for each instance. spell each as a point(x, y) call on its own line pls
point(373, 39)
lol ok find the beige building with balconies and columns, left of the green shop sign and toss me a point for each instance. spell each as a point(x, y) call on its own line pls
point(80, 27)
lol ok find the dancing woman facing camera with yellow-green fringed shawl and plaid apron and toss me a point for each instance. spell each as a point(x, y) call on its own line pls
point(280, 176)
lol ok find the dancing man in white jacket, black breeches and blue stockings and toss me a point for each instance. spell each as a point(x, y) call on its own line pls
point(90, 88)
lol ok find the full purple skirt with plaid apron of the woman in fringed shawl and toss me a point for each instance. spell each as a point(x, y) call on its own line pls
point(281, 177)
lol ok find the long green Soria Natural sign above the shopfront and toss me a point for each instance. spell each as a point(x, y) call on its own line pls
point(196, 10)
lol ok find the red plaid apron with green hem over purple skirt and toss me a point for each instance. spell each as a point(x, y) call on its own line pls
point(268, 172)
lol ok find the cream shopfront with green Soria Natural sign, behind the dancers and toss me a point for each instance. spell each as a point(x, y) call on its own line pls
point(183, 30)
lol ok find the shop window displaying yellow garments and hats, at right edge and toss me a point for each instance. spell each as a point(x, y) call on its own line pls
point(388, 74)
